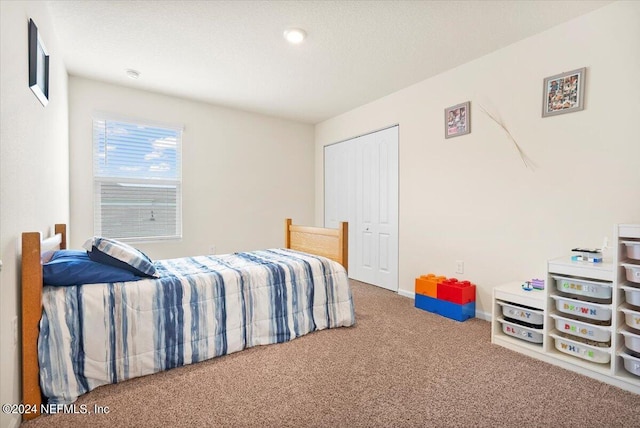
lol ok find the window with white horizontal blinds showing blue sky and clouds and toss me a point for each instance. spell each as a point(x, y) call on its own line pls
point(137, 181)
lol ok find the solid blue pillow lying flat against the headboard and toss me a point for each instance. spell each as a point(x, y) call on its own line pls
point(73, 267)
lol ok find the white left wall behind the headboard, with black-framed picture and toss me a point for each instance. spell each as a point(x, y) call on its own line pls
point(34, 167)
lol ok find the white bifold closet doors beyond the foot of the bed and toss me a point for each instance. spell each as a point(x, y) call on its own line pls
point(361, 187)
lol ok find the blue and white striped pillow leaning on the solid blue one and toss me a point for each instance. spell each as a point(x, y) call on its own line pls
point(118, 254)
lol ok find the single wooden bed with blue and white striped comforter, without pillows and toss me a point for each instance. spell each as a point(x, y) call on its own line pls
point(78, 337)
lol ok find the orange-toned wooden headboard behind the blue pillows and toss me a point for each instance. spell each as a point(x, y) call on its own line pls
point(33, 246)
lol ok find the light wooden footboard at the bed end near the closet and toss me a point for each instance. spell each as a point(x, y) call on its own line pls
point(330, 243)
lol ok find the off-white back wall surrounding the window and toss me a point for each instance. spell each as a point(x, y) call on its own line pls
point(243, 173)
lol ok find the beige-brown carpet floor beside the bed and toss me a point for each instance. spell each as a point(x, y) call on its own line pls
point(398, 367)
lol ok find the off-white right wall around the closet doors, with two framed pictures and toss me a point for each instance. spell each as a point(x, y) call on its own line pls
point(471, 198)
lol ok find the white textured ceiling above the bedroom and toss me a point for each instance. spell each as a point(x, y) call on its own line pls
point(232, 53)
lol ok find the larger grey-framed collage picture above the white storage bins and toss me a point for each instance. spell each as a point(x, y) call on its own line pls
point(563, 93)
